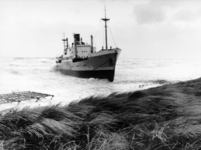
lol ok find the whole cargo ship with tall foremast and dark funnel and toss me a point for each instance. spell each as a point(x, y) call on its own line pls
point(82, 60)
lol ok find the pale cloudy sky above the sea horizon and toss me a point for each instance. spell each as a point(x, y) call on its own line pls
point(141, 28)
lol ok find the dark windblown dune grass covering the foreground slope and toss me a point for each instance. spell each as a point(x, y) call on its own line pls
point(161, 118)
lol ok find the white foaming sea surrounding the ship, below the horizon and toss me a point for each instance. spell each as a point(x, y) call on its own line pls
point(132, 74)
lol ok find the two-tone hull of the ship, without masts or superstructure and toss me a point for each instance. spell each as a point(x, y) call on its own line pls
point(100, 65)
